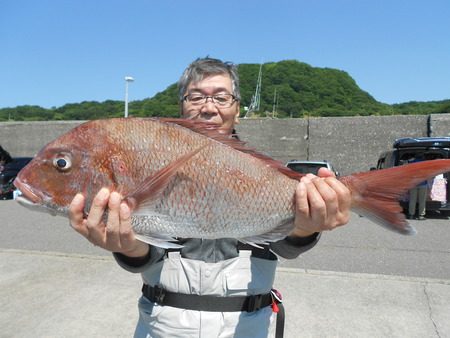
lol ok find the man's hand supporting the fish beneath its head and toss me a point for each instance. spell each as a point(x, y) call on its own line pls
point(117, 234)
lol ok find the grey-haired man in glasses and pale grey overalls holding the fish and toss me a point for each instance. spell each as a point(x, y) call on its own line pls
point(211, 288)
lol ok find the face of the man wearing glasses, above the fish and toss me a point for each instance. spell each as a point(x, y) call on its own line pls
point(208, 111)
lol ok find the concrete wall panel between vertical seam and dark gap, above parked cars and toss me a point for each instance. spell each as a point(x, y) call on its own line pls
point(353, 144)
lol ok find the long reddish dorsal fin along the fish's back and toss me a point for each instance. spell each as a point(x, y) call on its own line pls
point(211, 130)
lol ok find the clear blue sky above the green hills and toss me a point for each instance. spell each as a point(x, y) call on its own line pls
point(68, 51)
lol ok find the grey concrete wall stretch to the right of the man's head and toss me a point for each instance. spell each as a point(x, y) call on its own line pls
point(351, 144)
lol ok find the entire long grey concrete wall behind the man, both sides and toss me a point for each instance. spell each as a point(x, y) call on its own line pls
point(351, 143)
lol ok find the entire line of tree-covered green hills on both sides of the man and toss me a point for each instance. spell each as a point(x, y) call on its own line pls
point(301, 91)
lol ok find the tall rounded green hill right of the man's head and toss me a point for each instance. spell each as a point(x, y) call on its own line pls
point(303, 90)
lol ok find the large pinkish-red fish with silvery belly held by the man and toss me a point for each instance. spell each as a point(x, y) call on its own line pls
point(183, 179)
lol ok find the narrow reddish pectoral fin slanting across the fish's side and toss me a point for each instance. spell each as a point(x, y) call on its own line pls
point(152, 187)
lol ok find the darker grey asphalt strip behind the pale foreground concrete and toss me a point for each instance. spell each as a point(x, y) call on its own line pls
point(361, 246)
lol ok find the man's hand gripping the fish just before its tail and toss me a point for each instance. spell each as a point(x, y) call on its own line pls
point(322, 203)
